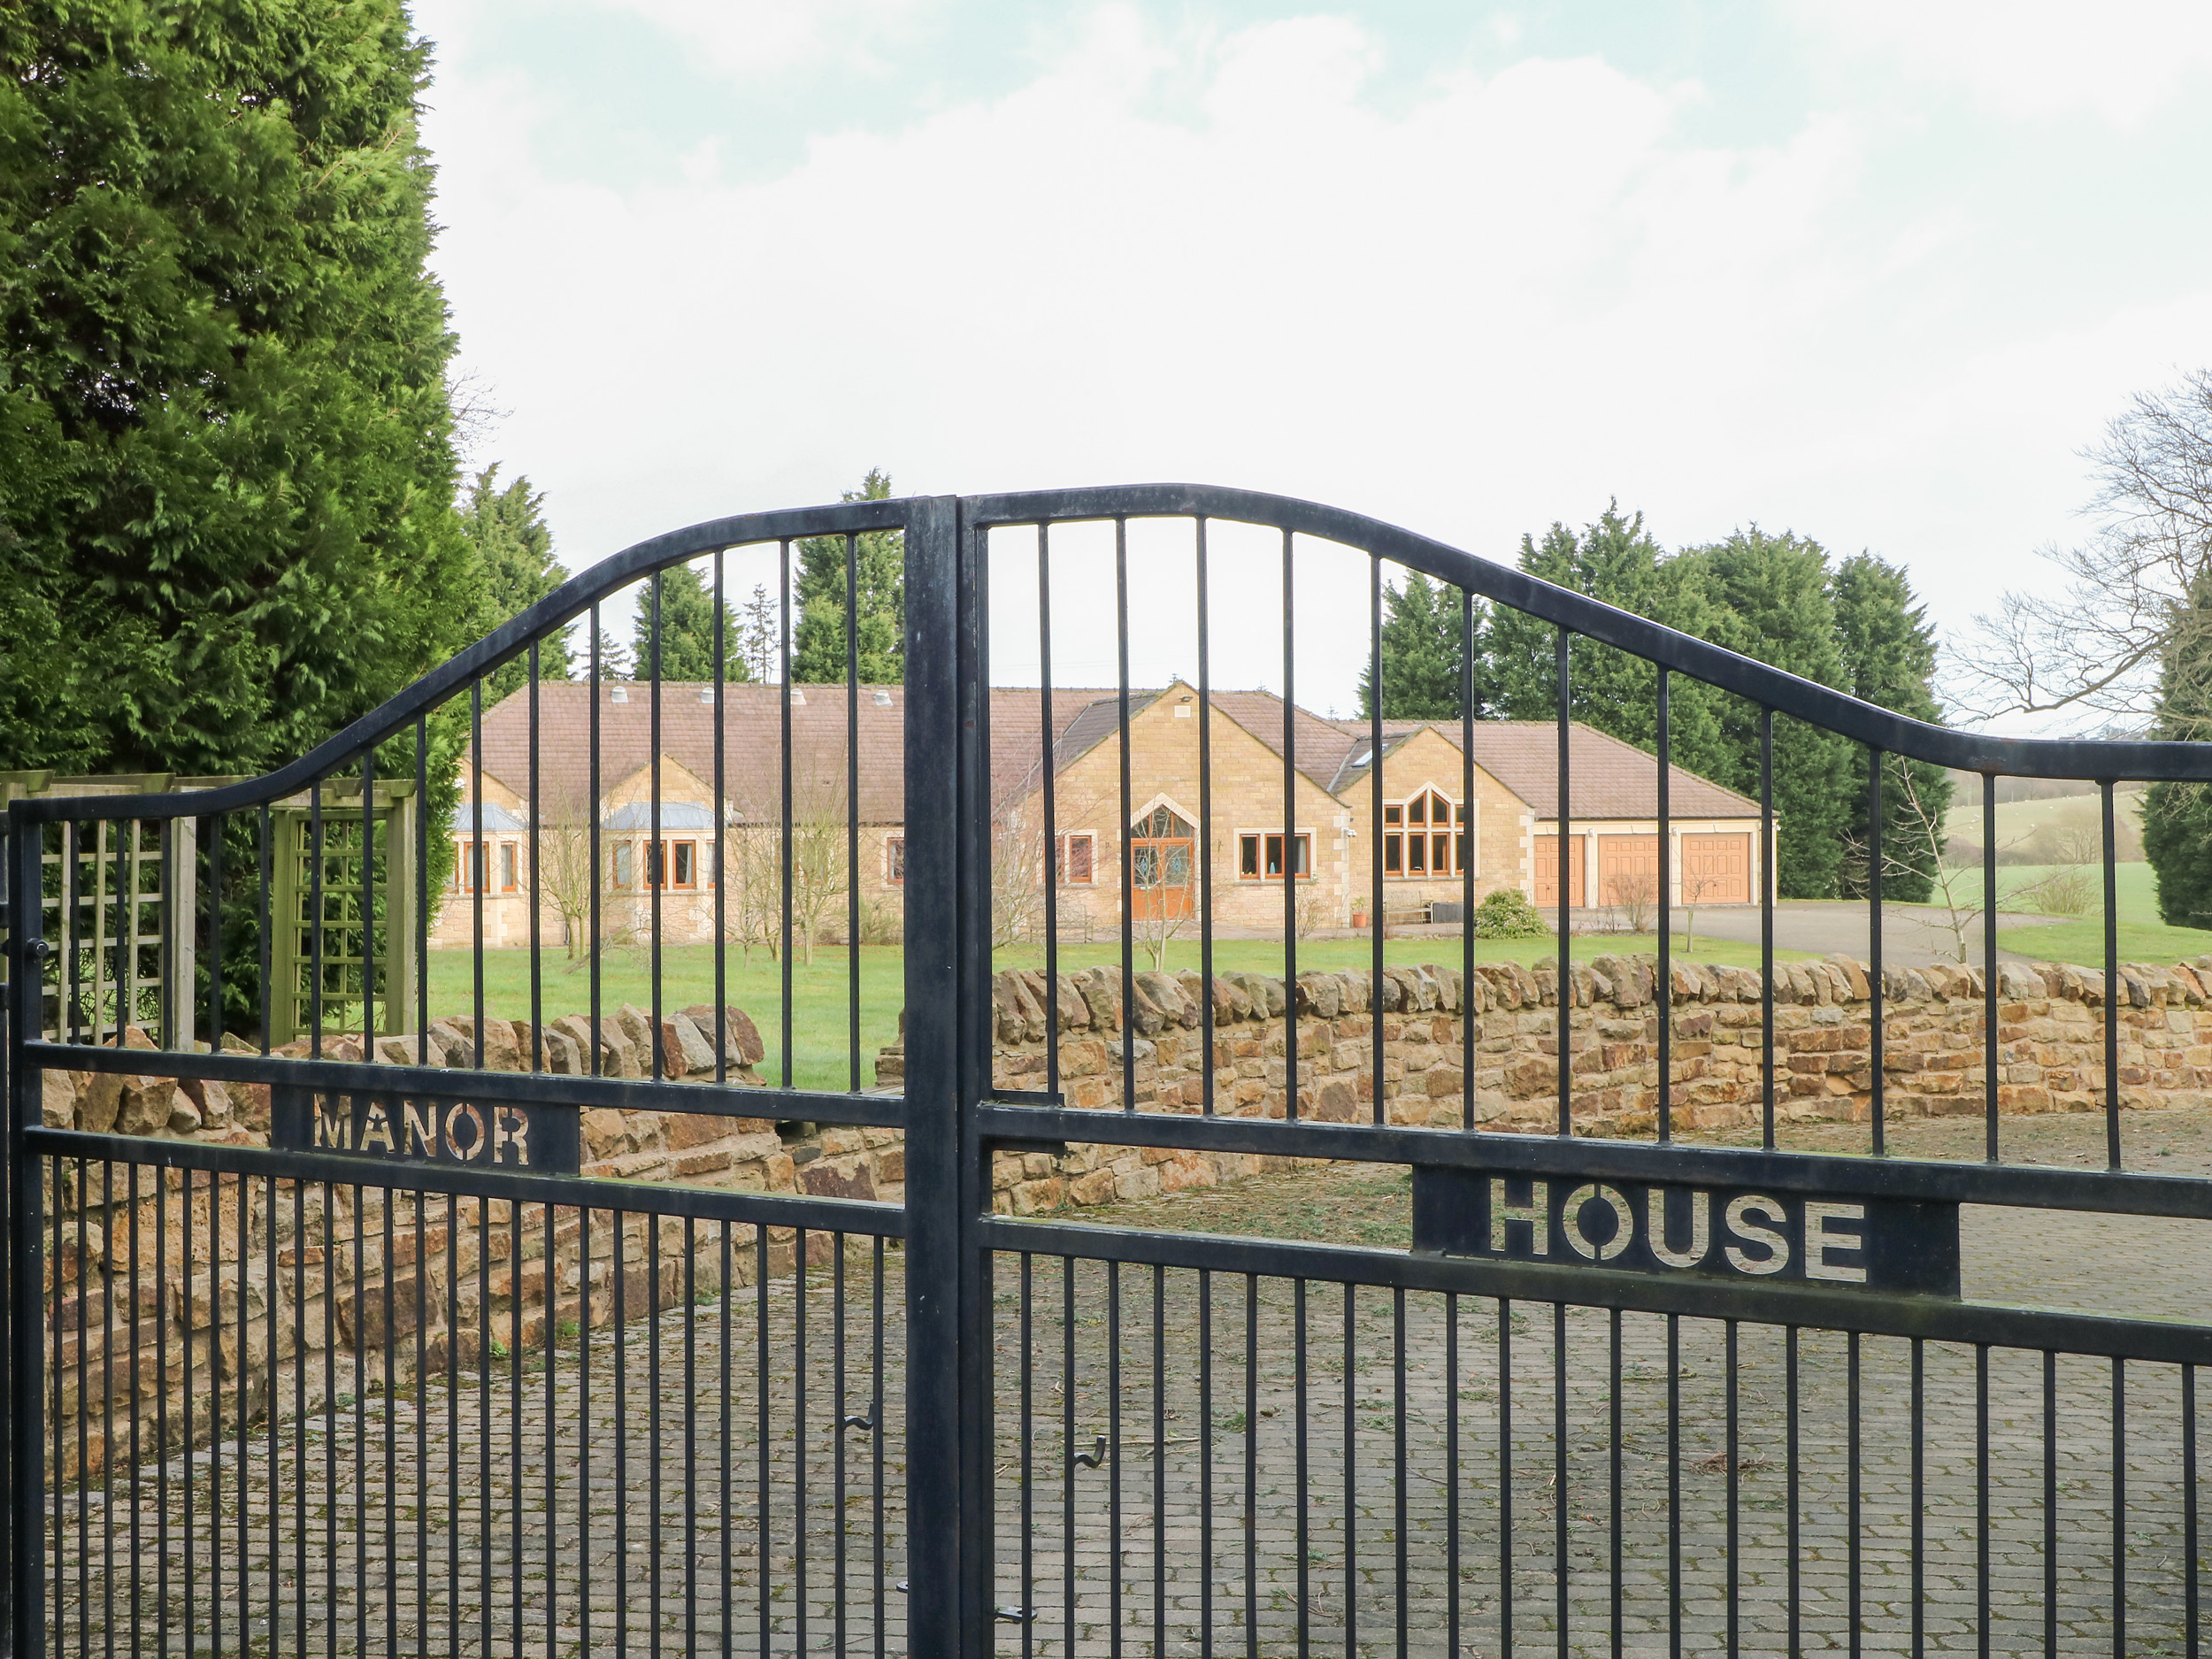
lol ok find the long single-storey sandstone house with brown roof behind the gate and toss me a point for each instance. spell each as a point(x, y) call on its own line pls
point(729, 844)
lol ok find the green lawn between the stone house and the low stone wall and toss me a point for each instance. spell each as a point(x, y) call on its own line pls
point(820, 990)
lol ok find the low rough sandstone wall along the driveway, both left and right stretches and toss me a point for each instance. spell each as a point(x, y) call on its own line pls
point(121, 1315)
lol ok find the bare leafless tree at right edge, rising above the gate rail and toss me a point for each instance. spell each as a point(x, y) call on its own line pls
point(2133, 592)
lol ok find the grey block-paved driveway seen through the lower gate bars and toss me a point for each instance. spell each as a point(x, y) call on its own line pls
point(481, 1534)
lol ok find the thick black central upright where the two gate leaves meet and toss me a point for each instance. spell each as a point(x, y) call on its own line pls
point(950, 1550)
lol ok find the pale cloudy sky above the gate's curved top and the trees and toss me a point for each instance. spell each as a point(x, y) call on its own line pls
point(1866, 271)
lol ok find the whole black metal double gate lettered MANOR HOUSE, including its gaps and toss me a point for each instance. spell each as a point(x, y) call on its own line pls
point(517, 1331)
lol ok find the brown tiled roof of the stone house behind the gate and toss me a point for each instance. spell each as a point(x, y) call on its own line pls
point(1611, 780)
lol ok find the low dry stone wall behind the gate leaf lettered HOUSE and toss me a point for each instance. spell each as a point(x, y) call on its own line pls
point(2049, 1052)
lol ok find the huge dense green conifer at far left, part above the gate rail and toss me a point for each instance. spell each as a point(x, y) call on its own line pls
point(227, 470)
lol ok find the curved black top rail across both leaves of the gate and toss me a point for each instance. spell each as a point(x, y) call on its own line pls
point(2096, 760)
